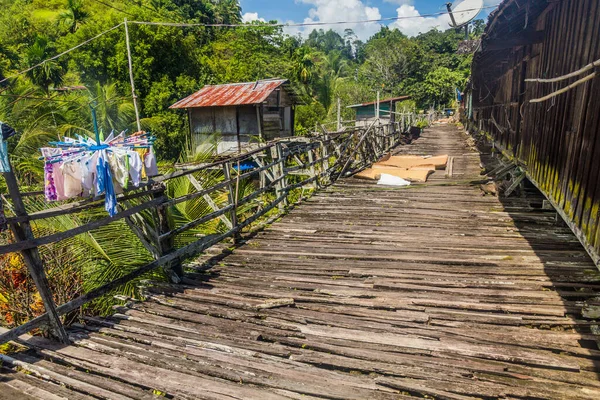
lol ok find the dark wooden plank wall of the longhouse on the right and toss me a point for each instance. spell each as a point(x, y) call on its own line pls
point(556, 141)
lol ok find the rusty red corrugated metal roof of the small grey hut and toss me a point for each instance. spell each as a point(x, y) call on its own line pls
point(232, 94)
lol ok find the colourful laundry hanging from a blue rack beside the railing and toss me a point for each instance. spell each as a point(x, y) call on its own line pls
point(84, 167)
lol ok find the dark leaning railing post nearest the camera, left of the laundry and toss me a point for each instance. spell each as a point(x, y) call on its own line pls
point(22, 232)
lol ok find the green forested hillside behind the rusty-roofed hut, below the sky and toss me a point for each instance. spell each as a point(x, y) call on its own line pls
point(169, 63)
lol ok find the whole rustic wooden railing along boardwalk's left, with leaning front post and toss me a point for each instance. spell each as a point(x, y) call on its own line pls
point(277, 170)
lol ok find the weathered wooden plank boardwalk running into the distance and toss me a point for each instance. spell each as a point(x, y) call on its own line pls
point(361, 292)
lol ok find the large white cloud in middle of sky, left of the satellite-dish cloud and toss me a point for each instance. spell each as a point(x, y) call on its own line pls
point(342, 10)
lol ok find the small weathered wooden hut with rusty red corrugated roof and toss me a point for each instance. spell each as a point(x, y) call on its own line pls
point(241, 113)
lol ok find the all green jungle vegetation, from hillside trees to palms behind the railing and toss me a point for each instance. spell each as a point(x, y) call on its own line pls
point(170, 63)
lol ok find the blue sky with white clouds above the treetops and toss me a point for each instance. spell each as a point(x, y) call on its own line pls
point(352, 10)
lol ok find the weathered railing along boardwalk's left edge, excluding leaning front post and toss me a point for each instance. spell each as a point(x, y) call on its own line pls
point(350, 149)
